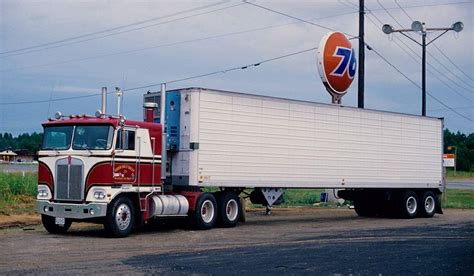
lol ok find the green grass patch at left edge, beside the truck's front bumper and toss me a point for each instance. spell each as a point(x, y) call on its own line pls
point(17, 193)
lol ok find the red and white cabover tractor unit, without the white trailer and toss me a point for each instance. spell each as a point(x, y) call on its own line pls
point(107, 169)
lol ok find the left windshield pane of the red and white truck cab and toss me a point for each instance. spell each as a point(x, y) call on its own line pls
point(57, 137)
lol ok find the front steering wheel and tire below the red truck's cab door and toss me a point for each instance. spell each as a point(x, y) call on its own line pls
point(120, 218)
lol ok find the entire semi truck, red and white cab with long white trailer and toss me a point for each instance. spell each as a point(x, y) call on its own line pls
point(122, 173)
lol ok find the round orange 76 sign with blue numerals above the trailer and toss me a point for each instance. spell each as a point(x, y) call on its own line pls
point(336, 63)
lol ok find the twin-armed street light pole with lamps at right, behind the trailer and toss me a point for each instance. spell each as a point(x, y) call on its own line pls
point(418, 26)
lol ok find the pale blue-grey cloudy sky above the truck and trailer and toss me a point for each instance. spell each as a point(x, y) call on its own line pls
point(60, 49)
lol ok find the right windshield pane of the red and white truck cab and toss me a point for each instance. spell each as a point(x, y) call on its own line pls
point(87, 137)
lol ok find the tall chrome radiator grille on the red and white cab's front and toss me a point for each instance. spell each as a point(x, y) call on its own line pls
point(69, 180)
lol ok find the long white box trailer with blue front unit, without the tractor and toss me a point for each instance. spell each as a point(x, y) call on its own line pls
point(236, 140)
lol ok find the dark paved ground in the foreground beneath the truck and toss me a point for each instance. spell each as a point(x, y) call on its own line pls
point(297, 241)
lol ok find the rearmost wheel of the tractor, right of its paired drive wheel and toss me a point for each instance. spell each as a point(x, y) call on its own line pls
point(229, 209)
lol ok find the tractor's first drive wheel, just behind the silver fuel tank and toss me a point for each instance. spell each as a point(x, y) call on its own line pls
point(205, 214)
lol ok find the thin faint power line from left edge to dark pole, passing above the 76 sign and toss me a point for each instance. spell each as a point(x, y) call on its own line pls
point(166, 44)
